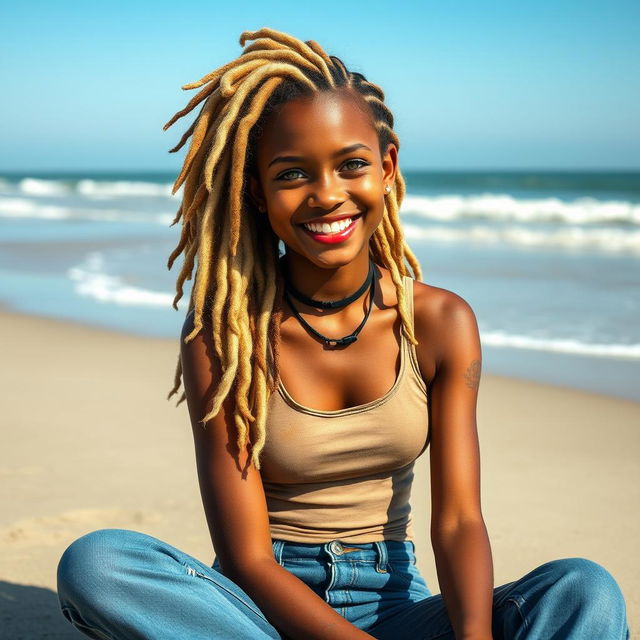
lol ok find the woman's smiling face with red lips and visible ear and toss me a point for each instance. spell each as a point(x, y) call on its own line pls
point(319, 160)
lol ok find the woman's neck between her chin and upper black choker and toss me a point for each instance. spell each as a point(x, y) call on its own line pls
point(328, 284)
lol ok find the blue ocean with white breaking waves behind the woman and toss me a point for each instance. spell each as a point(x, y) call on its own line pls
point(549, 261)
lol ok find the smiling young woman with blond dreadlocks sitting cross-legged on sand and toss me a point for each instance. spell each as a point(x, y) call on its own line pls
point(314, 379)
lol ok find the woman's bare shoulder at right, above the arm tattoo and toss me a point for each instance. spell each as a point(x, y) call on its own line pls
point(445, 323)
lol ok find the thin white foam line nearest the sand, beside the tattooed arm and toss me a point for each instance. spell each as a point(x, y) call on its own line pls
point(558, 345)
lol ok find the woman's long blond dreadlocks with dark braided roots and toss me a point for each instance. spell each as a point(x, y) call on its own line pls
point(238, 288)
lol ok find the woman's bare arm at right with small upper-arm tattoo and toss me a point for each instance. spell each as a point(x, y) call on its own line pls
point(458, 533)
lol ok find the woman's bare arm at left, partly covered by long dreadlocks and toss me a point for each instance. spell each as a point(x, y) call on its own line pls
point(236, 510)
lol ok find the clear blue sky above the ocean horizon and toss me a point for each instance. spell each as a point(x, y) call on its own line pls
point(473, 85)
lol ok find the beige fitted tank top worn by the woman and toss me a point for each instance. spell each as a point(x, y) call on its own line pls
point(347, 474)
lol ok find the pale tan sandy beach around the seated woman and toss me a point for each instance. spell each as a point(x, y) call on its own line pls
point(89, 441)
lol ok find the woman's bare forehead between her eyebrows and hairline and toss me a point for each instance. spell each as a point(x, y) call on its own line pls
point(323, 121)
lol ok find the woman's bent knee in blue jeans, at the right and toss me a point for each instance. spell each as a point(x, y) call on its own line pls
point(586, 584)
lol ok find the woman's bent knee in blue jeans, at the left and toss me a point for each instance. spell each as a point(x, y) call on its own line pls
point(90, 564)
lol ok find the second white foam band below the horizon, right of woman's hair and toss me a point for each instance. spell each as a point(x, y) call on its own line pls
point(602, 239)
